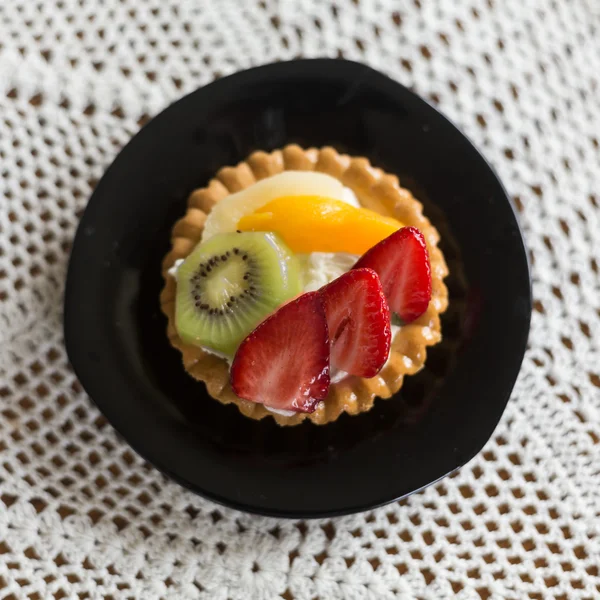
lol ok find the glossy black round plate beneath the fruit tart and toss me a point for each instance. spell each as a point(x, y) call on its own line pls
point(115, 332)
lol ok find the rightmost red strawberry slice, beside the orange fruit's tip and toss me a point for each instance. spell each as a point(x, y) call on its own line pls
point(402, 262)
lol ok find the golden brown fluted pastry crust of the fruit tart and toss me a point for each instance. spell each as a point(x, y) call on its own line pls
point(374, 189)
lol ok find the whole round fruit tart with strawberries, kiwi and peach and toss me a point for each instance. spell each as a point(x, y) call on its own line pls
point(302, 284)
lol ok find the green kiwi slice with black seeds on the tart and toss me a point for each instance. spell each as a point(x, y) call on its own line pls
point(229, 284)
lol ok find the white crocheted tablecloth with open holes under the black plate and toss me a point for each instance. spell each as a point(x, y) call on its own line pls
point(82, 516)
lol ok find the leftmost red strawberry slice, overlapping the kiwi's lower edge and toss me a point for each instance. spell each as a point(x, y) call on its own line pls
point(284, 362)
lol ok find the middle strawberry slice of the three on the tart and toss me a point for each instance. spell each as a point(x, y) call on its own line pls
point(358, 319)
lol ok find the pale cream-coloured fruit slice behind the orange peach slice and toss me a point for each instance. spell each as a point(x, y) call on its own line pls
point(224, 216)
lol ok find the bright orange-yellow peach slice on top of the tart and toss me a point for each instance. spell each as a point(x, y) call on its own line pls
point(321, 224)
